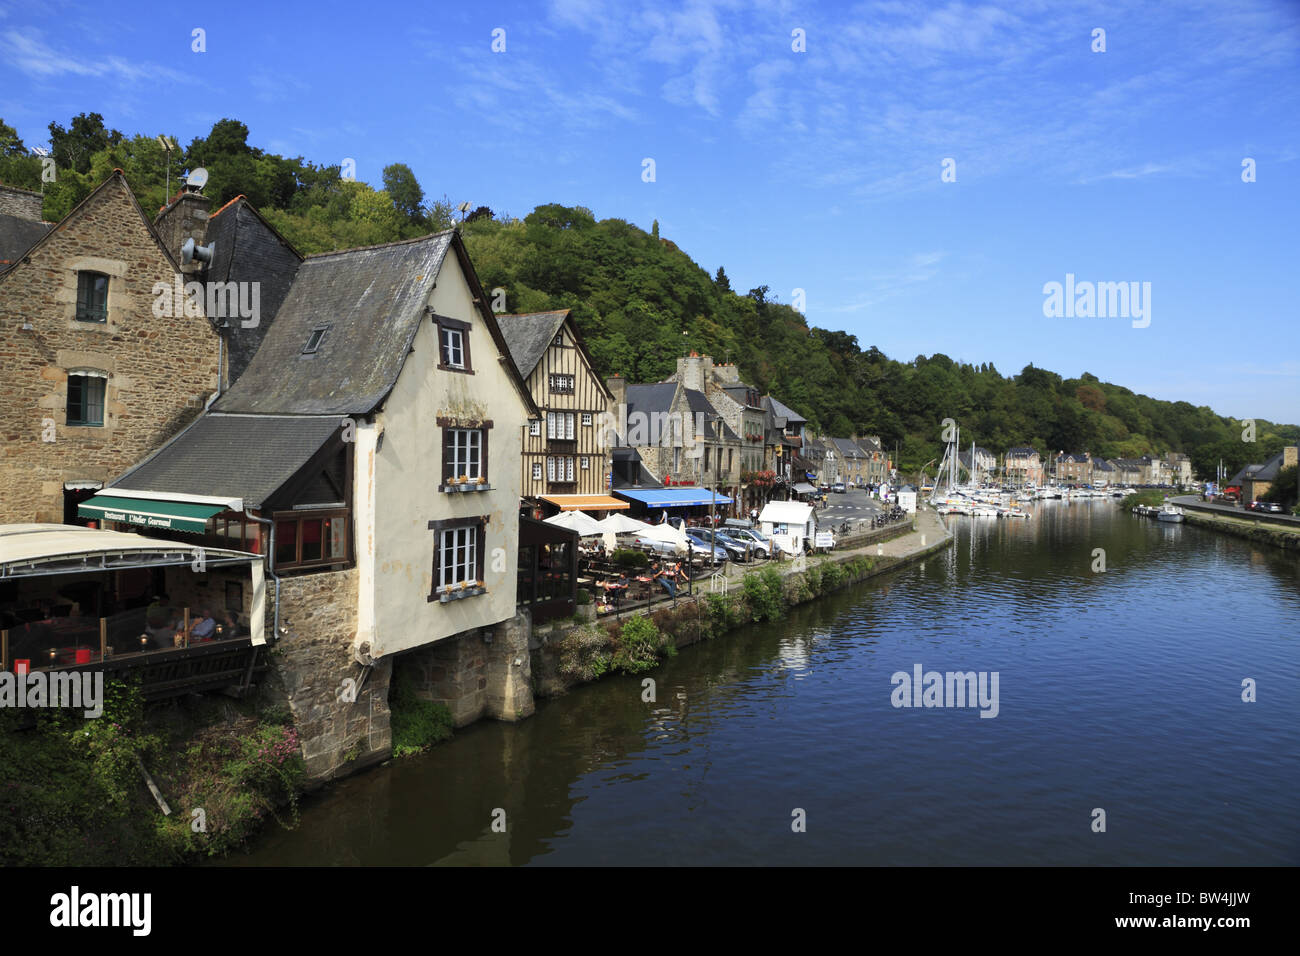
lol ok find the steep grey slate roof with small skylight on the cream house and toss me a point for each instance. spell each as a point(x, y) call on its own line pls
point(374, 300)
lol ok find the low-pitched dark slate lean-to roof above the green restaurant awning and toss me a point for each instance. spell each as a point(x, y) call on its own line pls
point(245, 457)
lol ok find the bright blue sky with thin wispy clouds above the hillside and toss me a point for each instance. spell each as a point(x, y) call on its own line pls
point(817, 171)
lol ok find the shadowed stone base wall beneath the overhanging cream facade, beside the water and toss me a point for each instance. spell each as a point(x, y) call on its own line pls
point(476, 674)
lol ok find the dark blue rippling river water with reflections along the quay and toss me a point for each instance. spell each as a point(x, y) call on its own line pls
point(1120, 691)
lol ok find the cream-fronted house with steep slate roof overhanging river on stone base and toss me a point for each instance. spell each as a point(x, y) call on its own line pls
point(371, 452)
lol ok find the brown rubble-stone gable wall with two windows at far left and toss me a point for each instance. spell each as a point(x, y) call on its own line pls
point(161, 370)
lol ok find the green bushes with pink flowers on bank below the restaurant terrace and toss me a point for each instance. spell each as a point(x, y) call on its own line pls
point(72, 790)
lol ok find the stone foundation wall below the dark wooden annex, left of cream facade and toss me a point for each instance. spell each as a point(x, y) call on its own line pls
point(344, 726)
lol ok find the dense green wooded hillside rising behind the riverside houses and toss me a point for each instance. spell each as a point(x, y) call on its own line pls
point(639, 300)
